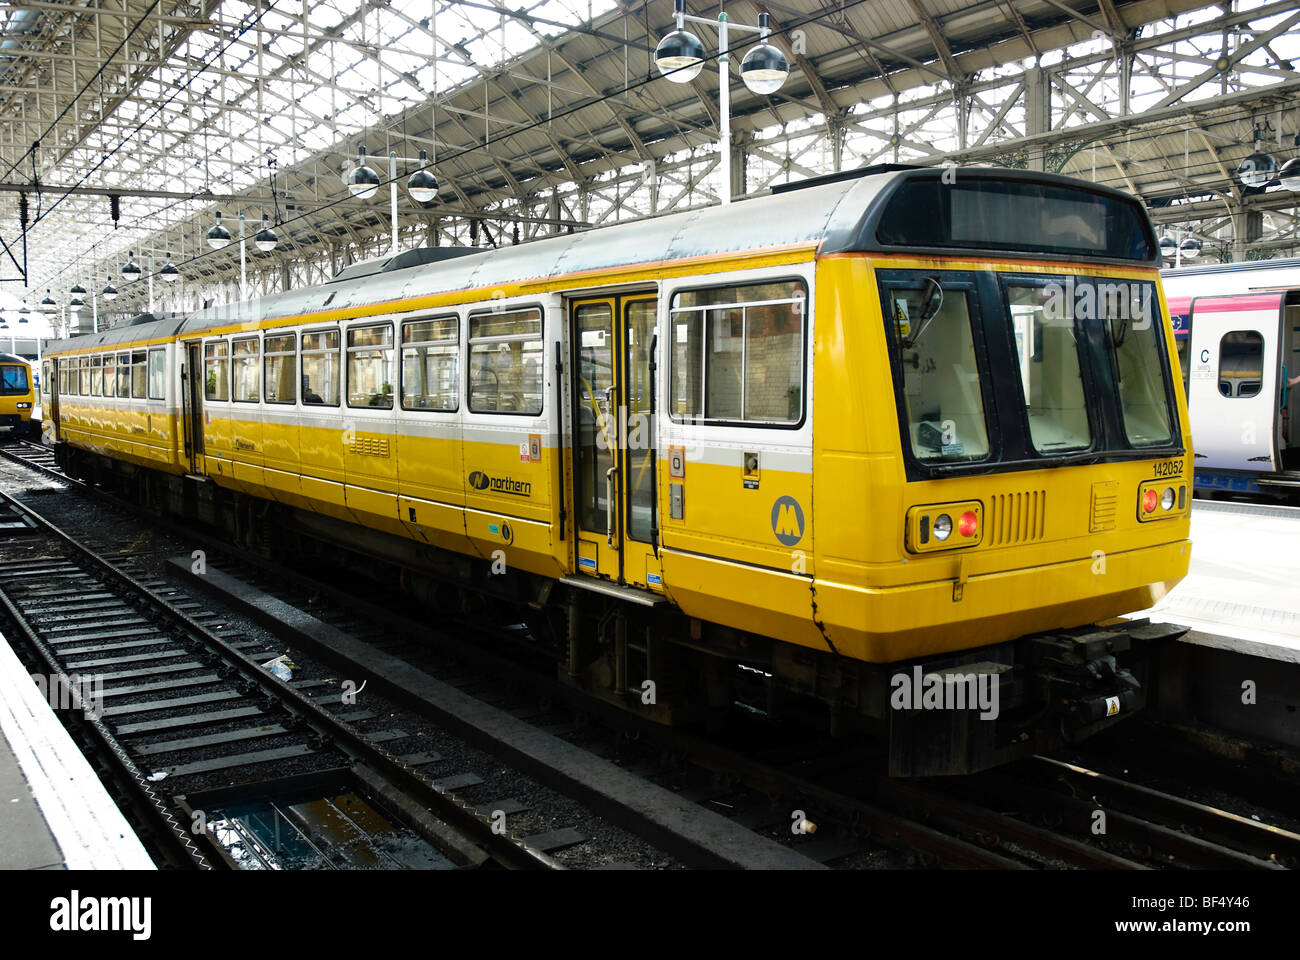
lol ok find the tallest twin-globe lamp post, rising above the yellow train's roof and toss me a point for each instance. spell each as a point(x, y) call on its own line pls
point(681, 57)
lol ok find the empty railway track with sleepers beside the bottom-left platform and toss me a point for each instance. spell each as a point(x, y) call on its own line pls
point(180, 707)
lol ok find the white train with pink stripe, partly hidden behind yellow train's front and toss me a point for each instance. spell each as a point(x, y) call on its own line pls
point(1238, 334)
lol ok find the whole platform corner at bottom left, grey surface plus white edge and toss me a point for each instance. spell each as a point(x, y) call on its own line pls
point(54, 811)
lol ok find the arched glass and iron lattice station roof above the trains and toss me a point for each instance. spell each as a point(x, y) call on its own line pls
point(551, 116)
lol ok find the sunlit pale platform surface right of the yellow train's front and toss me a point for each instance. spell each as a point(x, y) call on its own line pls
point(1243, 589)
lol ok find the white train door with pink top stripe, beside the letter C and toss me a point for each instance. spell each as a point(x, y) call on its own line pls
point(1236, 382)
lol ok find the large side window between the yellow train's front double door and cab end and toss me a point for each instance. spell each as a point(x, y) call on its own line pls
point(739, 353)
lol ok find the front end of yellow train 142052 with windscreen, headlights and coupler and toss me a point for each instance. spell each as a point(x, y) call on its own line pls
point(1025, 477)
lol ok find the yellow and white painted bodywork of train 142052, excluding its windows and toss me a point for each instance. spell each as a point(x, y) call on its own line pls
point(803, 533)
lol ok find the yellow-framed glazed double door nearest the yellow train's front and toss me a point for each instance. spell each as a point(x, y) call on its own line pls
point(614, 444)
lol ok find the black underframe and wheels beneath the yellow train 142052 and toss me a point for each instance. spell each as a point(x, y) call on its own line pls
point(950, 715)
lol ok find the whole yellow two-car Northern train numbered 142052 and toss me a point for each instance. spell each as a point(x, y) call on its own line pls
point(883, 448)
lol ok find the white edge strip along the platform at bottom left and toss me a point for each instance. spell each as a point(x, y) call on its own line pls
point(86, 824)
